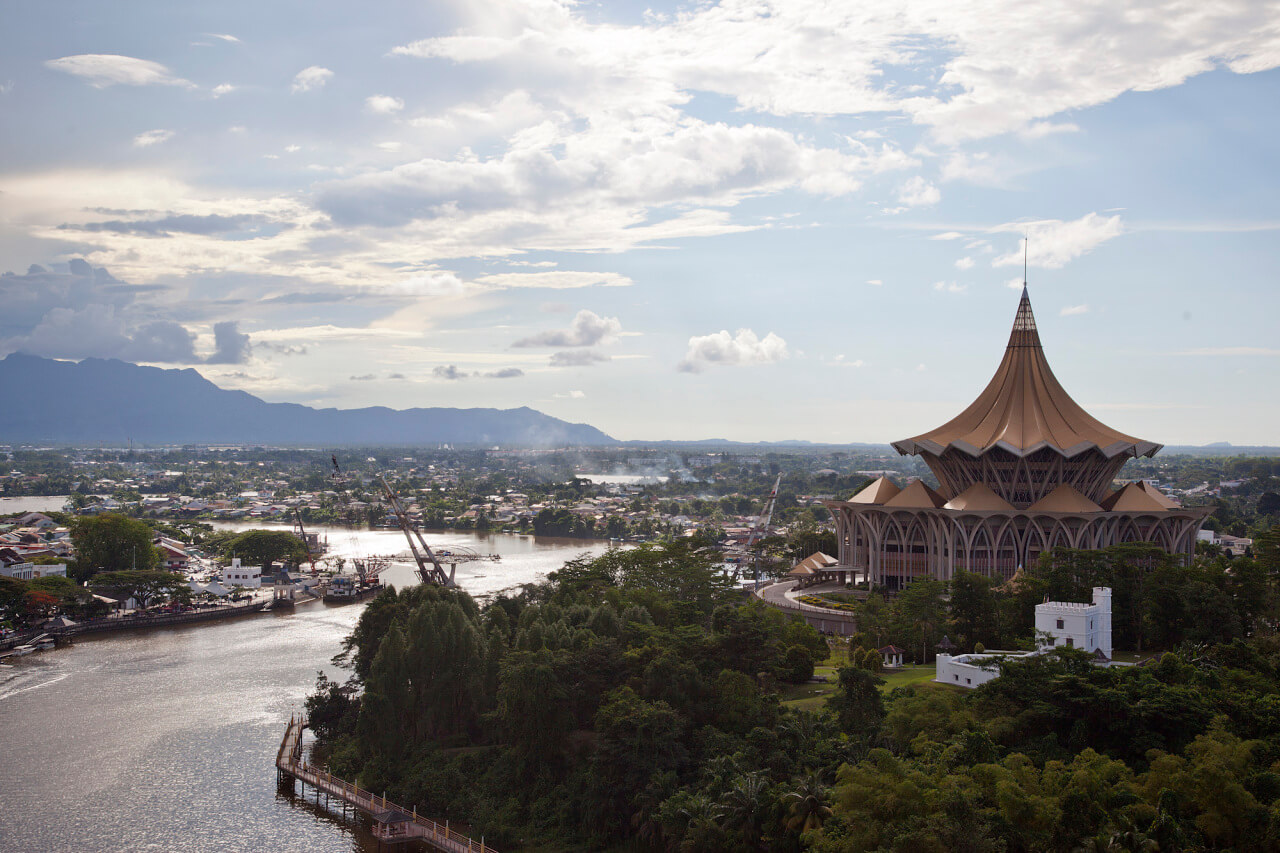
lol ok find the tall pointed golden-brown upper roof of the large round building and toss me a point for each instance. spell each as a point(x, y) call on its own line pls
point(1025, 409)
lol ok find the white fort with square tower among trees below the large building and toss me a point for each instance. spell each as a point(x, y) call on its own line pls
point(1060, 624)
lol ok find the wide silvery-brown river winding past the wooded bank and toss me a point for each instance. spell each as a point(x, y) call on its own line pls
point(166, 740)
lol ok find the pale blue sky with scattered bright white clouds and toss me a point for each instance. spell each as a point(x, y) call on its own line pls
point(746, 220)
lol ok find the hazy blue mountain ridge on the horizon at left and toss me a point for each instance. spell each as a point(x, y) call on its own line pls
point(115, 402)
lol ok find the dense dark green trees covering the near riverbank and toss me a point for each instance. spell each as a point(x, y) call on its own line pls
point(636, 703)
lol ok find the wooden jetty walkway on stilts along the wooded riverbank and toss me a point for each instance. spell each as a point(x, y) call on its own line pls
point(392, 823)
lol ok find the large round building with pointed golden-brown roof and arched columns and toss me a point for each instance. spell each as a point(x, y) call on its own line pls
point(1021, 472)
